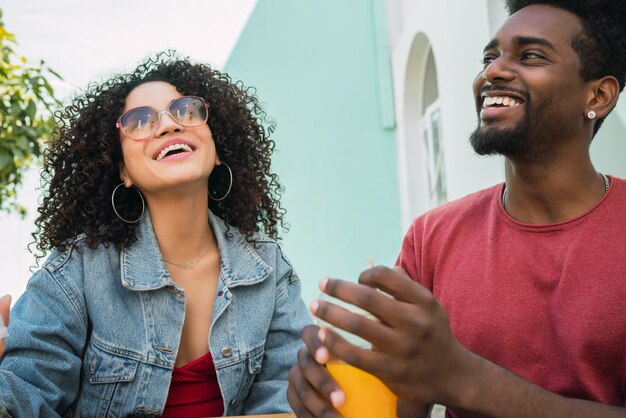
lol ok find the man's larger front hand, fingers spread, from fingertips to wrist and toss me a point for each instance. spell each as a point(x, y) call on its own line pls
point(415, 353)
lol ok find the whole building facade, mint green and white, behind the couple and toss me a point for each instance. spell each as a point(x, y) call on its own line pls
point(374, 107)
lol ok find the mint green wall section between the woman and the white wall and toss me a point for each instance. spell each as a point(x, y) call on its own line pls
point(316, 67)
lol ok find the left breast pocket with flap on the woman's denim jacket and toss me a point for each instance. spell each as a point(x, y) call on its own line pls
point(106, 388)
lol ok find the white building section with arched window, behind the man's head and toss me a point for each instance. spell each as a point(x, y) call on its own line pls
point(436, 51)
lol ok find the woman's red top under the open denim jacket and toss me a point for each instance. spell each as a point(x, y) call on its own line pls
point(194, 391)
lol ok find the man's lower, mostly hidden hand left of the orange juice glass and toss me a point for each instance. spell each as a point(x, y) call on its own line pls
point(312, 392)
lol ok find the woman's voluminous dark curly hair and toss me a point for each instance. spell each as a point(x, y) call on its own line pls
point(81, 164)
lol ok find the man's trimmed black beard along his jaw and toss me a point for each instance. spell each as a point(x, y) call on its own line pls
point(528, 141)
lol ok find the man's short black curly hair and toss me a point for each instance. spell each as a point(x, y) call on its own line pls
point(601, 45)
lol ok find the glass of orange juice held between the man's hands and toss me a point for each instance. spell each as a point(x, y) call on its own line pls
point(366, 395)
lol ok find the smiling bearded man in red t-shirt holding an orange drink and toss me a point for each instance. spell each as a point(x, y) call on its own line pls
point(516, 303)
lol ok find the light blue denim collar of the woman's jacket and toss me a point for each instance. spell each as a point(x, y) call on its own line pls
point(143, 268)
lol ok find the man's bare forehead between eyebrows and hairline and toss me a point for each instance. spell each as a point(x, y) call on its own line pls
point(557, 26)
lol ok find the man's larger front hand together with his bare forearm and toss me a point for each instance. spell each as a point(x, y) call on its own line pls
point(415, 354)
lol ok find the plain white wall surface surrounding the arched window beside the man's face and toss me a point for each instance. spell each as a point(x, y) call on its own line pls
point(457, 31)
